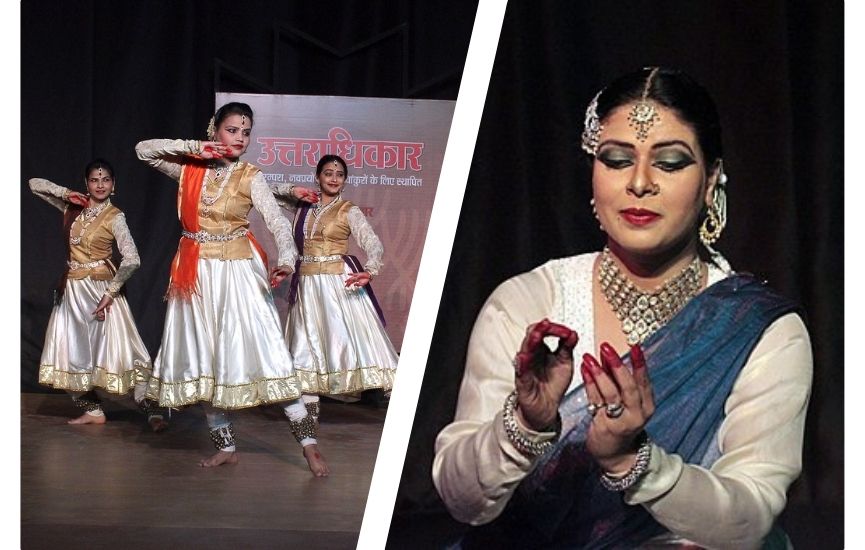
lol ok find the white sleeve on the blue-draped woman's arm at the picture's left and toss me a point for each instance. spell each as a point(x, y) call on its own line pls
point(476, 468)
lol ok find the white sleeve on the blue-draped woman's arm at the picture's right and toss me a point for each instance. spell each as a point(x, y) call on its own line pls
point(735, 502)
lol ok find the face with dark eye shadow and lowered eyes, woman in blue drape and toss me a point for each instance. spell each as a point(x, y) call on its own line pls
point(649, 192)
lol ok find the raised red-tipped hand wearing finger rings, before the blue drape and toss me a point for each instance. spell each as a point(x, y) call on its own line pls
point(613, 434)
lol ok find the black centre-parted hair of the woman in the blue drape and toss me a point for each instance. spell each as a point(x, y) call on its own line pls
point(677, 91)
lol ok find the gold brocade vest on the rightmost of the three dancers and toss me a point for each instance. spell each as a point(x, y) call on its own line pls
point(329, 238)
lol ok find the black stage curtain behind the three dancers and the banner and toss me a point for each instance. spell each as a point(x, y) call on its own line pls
point(97, 76)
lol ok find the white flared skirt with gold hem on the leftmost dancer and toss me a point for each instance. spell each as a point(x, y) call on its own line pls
point(81, 353)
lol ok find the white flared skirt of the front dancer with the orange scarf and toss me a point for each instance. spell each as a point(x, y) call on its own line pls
point(225, 344)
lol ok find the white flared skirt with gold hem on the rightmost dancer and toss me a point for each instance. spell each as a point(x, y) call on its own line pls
point(337, 340)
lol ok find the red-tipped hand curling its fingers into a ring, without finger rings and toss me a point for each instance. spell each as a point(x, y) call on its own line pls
point(542, 375)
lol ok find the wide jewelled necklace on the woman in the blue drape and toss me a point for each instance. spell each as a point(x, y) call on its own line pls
point(642, 313)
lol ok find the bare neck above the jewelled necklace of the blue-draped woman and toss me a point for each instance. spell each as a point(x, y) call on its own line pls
point(650, 271)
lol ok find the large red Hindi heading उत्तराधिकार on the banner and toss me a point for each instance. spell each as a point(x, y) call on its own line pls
point(357, 154)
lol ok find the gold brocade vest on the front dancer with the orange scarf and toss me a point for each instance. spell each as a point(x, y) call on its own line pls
point(228, 214)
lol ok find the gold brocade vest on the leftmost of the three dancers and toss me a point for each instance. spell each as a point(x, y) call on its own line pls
point(95, 245)
